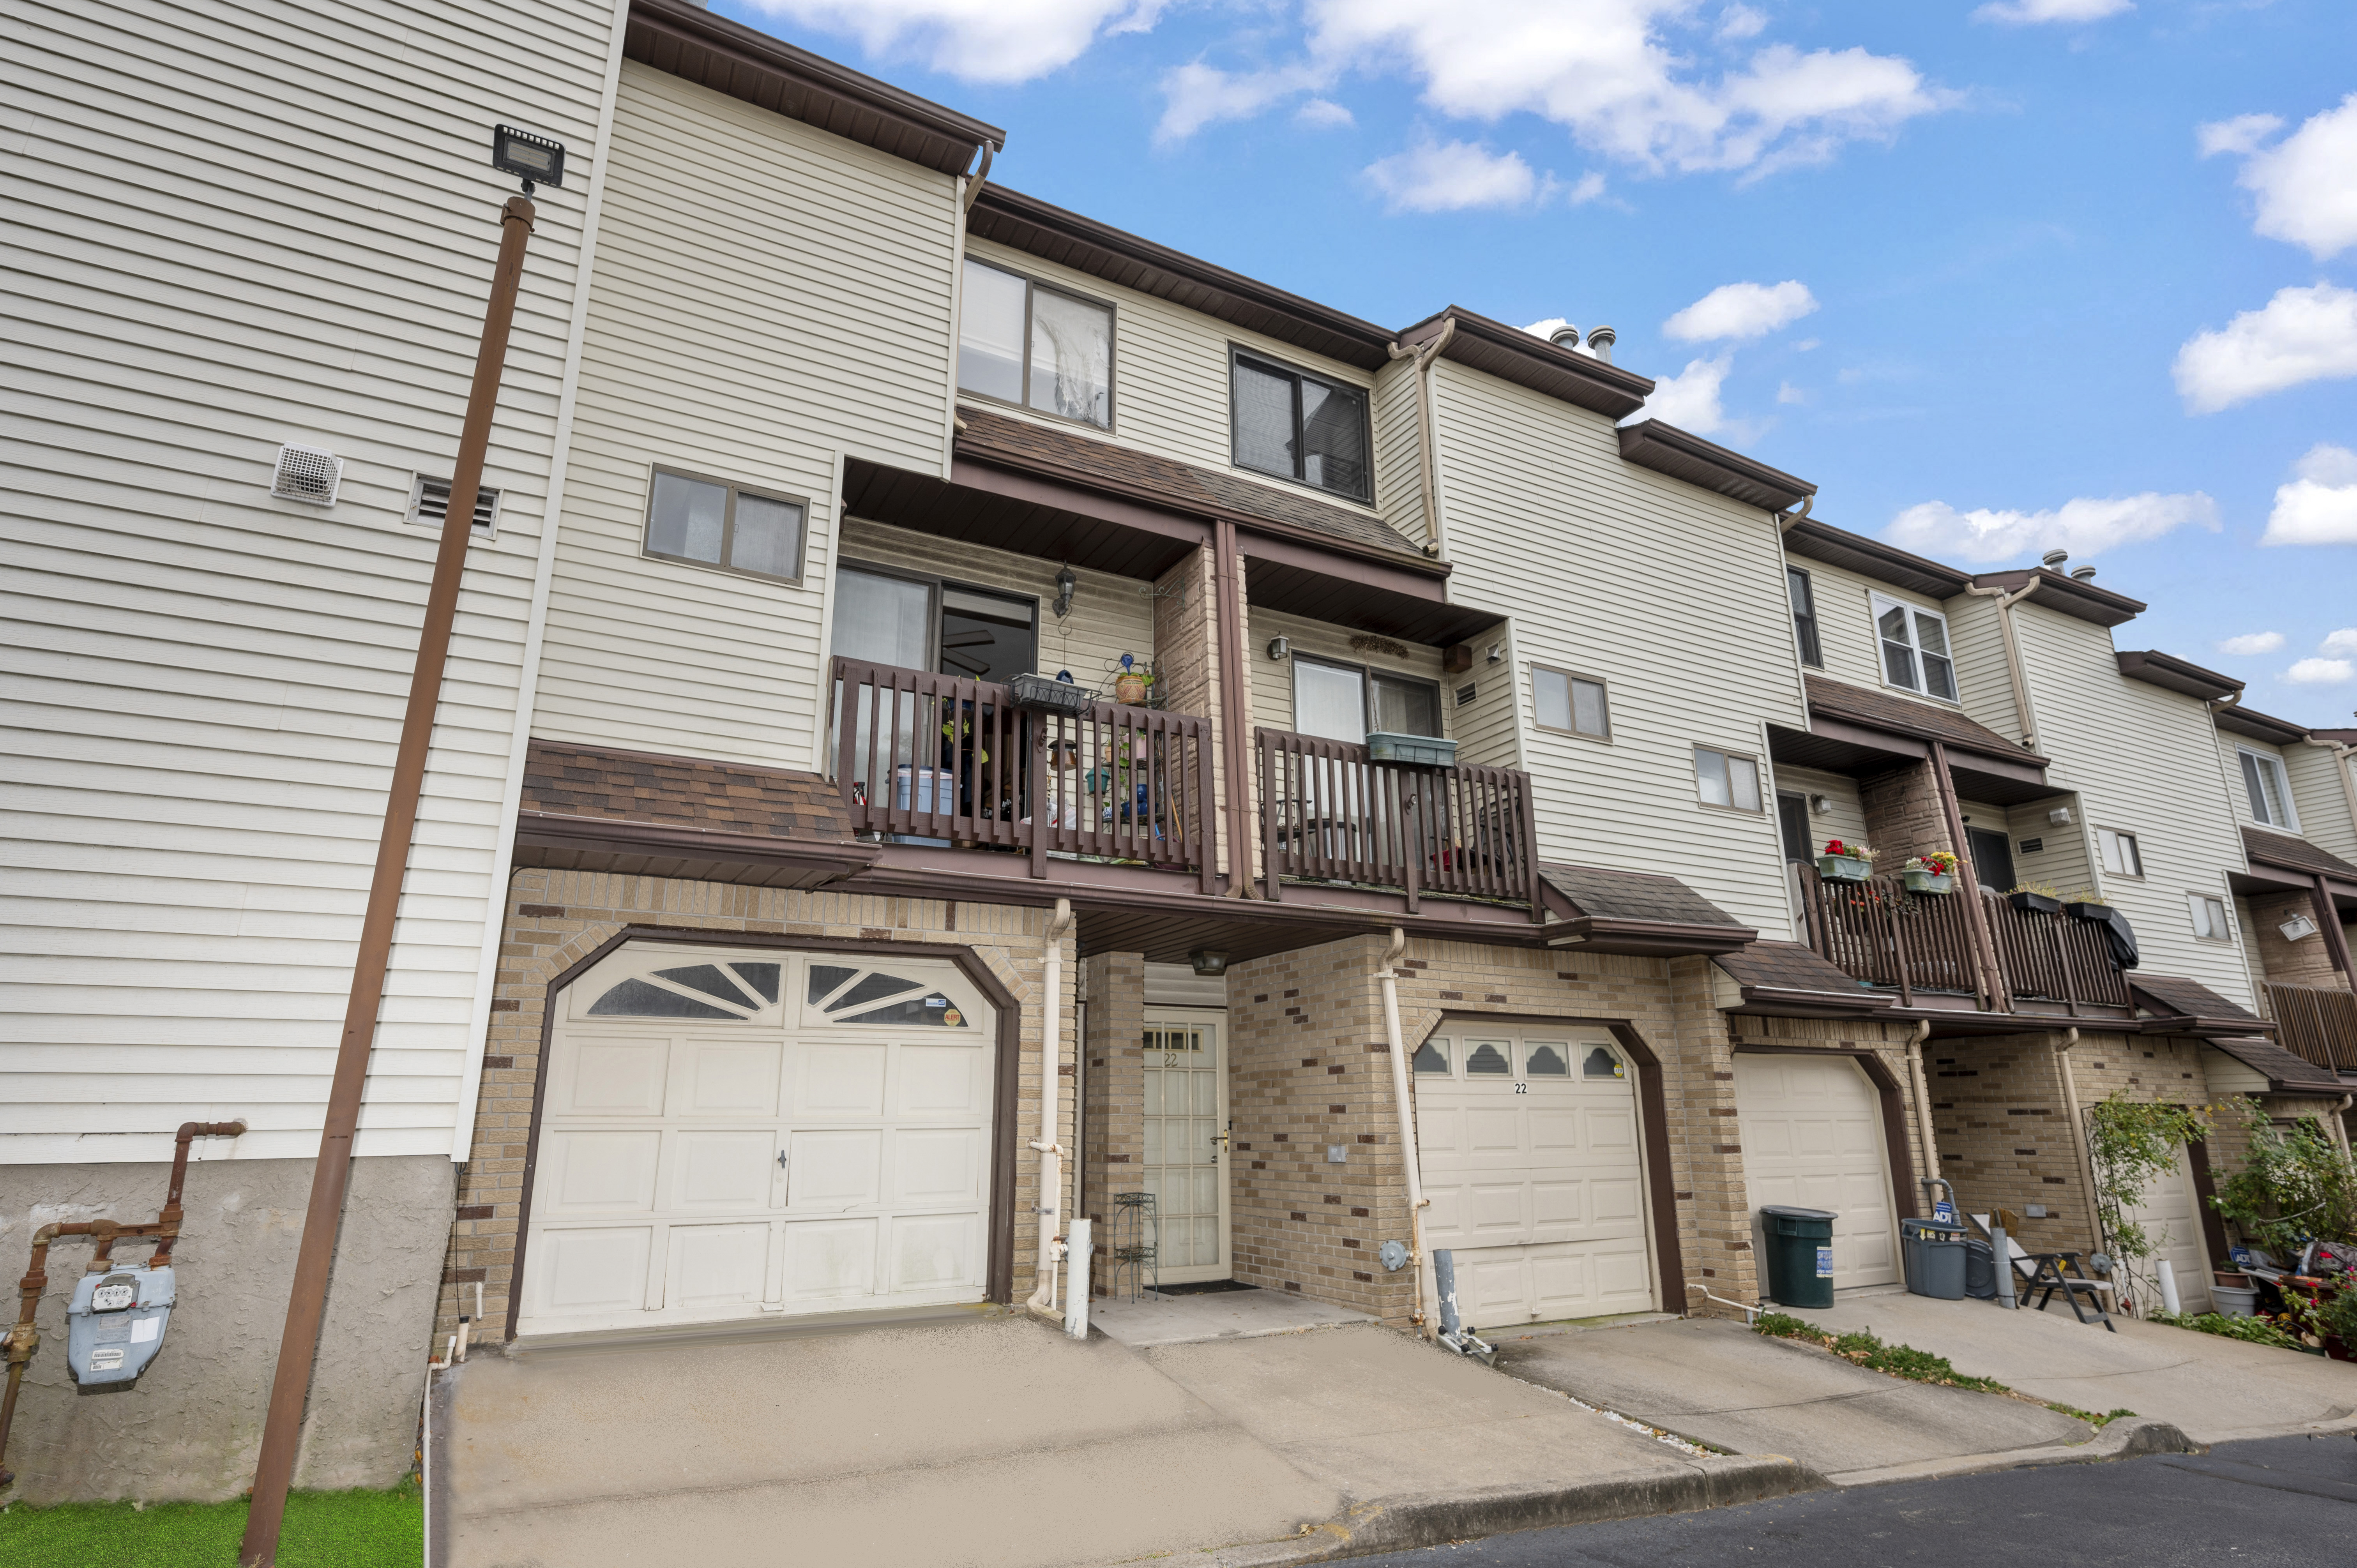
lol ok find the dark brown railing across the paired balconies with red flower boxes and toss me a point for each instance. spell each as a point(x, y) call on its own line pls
point(1882, 935)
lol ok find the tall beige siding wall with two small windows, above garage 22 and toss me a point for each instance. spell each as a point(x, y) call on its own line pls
point(1672, 595)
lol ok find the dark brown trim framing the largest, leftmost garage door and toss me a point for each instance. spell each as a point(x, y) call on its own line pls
point(998, 1279)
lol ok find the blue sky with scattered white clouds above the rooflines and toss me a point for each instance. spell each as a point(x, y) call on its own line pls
point(1998, 277)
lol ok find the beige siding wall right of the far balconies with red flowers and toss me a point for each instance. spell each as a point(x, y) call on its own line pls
point(2139, 758)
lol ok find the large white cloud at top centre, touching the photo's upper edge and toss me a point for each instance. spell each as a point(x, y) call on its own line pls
point(1611, 72)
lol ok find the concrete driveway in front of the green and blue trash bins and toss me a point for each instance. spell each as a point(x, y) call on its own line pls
point(2212, 1390)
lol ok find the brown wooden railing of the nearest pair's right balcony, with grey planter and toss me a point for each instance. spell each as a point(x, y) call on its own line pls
point(1333, 815)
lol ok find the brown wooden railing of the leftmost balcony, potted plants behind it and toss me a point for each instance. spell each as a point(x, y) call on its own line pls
point(942, 758)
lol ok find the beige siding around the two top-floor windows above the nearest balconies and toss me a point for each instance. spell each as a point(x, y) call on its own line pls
point(1170, 376)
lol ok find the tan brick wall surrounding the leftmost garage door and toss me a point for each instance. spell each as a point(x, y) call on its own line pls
point(557, 918)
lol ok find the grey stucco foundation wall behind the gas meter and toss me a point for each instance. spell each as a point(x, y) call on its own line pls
point(192, 1425)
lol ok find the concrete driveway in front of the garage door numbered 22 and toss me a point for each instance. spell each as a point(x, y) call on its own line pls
point(1729, 1388)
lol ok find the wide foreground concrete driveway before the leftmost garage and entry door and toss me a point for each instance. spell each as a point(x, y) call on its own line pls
point(1003, 1444)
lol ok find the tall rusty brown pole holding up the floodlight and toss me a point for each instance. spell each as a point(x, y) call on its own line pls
point(308, 1300)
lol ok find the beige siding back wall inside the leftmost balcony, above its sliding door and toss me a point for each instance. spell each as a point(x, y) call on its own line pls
point(1111, 617)
